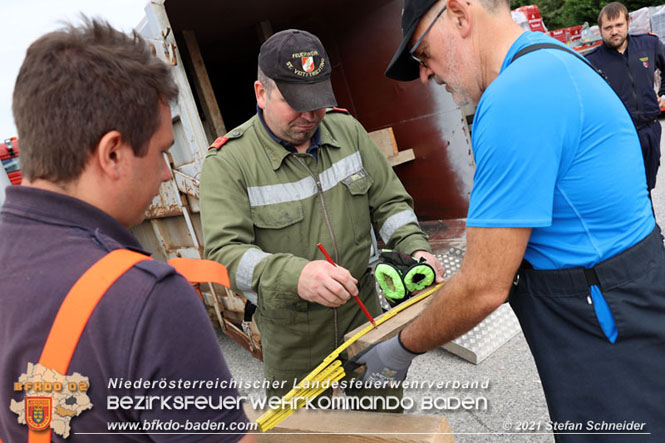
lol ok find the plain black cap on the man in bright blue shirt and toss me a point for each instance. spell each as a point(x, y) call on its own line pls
point(402, 67)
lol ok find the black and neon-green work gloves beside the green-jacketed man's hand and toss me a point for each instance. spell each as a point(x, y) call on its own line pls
point(400, 275)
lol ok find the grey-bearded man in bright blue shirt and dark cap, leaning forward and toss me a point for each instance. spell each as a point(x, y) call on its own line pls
point(559, 216)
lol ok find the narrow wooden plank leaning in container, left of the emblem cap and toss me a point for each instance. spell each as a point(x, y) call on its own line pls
point(203, 86)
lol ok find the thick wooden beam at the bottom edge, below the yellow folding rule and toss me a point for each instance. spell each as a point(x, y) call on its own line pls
point(304, 425)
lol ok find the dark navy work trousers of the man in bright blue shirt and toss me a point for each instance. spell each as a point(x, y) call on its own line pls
point(586, 378)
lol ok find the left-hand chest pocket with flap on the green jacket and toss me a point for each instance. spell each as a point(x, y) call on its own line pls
point(278, 226)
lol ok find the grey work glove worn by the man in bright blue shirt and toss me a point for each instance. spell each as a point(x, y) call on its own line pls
point(386, 362)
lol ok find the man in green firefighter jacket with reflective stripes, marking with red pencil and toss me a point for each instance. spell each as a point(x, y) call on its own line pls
point(298, 173)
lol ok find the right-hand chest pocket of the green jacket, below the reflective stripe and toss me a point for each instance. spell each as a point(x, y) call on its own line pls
point(357, 187)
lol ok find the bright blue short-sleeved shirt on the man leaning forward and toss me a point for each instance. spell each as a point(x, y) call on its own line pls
point(556, 151)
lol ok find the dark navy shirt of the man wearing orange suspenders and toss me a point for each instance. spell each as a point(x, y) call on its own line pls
point(150, 325)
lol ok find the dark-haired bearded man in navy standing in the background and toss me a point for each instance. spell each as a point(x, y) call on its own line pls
point(629, 62)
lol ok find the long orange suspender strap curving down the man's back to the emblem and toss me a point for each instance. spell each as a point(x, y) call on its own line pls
point(75, 312)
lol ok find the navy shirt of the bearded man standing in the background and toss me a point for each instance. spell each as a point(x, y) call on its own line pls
point(631, 74)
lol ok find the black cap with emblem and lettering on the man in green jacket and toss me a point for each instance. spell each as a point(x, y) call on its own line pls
point(299, 65)
